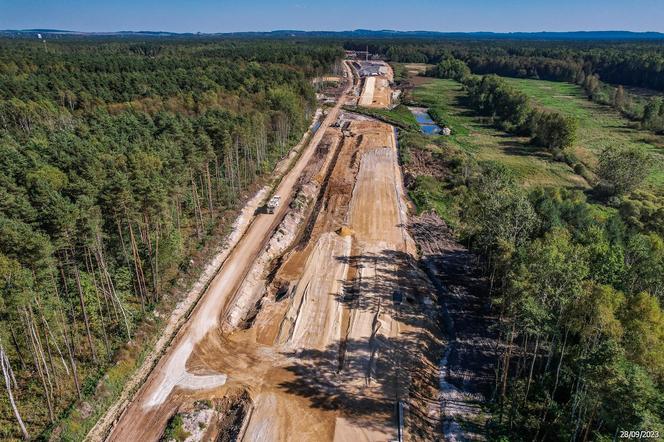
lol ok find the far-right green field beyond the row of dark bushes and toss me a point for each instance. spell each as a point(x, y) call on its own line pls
point(599, 126)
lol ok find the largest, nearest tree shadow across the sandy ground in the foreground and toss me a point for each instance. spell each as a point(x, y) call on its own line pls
point(367, 384)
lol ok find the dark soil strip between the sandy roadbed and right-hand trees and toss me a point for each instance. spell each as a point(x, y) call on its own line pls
point(467, 369)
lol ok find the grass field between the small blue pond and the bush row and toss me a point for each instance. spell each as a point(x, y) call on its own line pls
point(532, 165)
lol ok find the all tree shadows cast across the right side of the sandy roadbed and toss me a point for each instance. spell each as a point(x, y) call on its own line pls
point(365, 377)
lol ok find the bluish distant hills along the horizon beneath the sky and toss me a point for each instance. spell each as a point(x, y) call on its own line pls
point(358, 33)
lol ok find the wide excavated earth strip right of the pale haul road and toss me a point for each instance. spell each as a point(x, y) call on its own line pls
point(340, 331)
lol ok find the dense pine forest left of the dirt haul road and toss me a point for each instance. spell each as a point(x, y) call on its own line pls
point(117, 159)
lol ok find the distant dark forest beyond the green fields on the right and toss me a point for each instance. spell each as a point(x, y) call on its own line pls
point(603, 69)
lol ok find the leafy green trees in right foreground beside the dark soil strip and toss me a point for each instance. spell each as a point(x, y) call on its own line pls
point(579, 290)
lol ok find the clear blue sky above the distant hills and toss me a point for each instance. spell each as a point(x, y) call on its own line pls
point(266, 15)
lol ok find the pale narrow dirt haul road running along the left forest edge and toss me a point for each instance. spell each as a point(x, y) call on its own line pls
point(149, 407)
